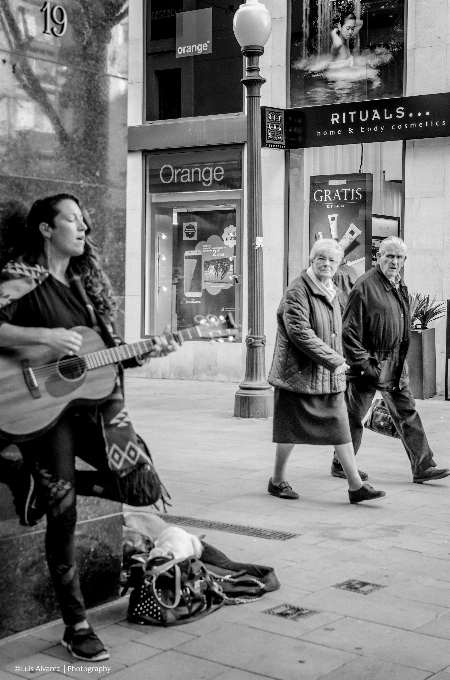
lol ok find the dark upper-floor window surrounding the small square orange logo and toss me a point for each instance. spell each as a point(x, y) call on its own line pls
point(209, 81)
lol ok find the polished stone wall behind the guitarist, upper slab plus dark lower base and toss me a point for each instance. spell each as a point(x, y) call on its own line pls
point(63, 129)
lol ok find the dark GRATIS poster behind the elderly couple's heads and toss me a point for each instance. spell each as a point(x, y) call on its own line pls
point(340, 207)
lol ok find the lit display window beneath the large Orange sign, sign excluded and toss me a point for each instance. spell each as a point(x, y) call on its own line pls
point(196, 264)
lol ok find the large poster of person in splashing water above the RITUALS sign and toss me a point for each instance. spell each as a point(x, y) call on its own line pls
point(345, 51)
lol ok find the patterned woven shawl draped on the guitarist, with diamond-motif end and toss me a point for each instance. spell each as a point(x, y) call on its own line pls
point(17, 279)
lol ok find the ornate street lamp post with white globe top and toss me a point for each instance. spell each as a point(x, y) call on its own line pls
point(254, 398)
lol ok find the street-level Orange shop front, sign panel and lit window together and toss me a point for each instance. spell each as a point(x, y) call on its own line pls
point(193, 237)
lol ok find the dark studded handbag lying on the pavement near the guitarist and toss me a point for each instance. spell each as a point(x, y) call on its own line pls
point(172, 592)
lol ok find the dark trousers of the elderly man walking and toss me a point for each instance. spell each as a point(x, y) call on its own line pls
point(402, 408)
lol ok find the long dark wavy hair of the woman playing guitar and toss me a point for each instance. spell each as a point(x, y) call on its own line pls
point(27, 240)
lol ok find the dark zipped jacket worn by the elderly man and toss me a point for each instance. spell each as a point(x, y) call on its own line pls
point(376, 332)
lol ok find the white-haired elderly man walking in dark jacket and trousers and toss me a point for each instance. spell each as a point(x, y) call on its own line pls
point(376, 335)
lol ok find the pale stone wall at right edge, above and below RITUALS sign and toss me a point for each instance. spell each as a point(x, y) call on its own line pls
point(427, 165)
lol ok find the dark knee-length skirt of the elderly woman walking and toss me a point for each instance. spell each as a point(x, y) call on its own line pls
point(310, 418)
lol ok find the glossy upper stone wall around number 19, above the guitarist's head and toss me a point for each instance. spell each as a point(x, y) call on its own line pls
point(62, 114)
